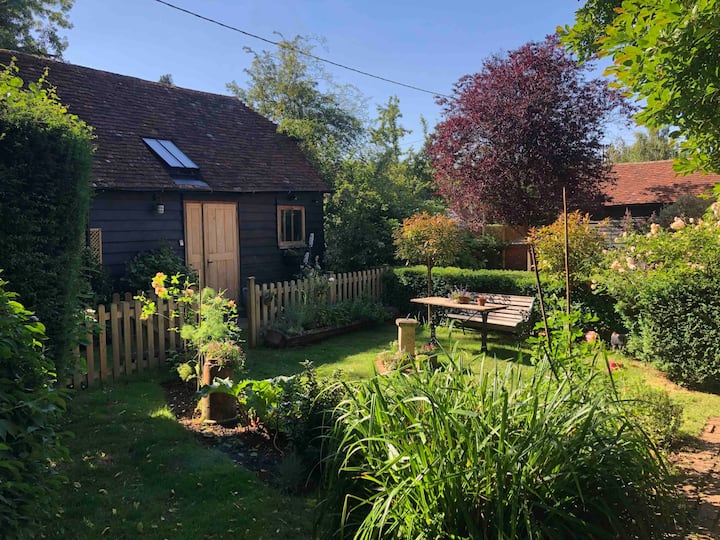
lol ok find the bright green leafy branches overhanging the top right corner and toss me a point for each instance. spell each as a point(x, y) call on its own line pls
point(666, 53)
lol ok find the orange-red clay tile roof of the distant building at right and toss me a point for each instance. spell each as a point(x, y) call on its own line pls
point(655, 182)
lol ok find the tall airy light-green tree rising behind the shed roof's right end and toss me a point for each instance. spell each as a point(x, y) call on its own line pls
point(291, 89)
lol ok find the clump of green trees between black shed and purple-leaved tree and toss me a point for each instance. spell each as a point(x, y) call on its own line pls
point(375, 183)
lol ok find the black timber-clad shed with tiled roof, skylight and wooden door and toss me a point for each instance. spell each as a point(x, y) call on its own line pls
point(200, 172)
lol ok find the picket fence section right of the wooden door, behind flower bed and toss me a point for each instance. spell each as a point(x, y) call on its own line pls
point(265, 302)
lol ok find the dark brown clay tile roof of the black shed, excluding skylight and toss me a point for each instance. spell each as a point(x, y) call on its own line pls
point(236, 149)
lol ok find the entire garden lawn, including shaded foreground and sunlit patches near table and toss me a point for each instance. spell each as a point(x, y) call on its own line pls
point(137, 472)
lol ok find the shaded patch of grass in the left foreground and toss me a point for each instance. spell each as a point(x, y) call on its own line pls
point(136, 472)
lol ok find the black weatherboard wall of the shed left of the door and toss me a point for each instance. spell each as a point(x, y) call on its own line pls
point(130, 225)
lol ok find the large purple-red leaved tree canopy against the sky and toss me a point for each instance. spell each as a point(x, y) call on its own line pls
point(513, 135)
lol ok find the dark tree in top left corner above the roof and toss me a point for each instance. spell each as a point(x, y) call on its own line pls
point(33, 25)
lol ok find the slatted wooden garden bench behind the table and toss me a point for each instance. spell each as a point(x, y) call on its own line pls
point(515, 318)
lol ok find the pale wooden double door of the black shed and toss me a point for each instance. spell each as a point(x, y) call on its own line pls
point(211, 244)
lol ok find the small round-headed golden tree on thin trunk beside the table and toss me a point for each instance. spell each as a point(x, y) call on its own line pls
point(430, 240)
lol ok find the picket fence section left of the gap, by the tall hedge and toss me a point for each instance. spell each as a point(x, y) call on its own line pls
point(119, 342)
